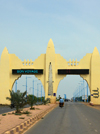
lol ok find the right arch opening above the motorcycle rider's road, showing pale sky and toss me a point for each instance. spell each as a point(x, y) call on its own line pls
point(74, 86)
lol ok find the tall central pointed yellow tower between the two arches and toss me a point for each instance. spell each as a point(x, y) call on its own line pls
point(50, 71)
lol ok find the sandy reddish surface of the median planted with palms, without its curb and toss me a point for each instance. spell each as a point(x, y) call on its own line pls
point(10, 120)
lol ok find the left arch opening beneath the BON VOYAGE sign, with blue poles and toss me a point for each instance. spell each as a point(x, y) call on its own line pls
point(31, 84)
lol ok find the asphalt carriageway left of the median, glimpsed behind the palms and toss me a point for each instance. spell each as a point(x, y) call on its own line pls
point(5, 109)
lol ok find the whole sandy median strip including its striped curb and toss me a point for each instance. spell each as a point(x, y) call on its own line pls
point(14, 124)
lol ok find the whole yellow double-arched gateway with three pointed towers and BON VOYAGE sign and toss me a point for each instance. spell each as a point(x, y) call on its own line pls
point(50, 68)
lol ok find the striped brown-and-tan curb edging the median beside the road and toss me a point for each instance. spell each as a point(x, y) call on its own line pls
point(24, 126)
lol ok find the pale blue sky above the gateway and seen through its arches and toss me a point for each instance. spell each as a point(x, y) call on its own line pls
point(26, 27)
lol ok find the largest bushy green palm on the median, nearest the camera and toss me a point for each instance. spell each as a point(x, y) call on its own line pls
point(18, 99)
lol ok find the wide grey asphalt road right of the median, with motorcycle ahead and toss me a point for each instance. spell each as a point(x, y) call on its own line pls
point(73, 118)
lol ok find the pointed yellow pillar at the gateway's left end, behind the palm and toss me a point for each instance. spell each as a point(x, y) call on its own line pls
point(4, 76)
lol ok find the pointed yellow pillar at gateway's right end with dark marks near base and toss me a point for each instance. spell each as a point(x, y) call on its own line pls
point(95, 75)
